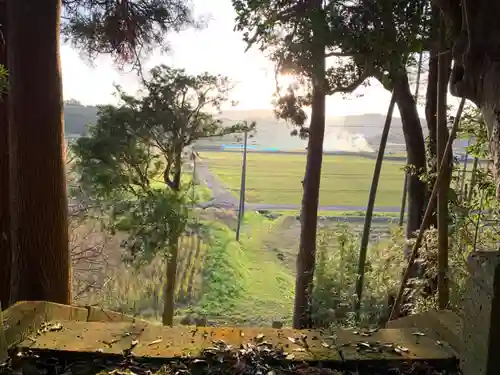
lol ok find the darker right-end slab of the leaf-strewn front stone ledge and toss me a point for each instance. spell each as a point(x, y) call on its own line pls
point(390, 345)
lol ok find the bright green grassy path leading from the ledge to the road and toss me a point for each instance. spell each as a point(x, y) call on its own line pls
point(243, 282)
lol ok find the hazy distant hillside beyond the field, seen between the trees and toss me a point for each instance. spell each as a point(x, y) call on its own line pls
point(360, 133)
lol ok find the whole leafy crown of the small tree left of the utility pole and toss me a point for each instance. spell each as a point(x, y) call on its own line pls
point(131, 161)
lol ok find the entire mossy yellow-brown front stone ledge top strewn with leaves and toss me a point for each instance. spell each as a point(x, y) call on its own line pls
point(147, 340)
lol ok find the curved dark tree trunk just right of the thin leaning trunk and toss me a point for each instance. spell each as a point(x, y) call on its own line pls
point(415, 148)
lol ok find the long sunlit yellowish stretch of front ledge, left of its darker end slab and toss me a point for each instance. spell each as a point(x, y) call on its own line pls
point(174, 342)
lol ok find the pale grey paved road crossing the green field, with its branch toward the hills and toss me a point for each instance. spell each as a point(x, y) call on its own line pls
point(223, 198)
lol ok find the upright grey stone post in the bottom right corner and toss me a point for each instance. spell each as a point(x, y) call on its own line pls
point(481, 306)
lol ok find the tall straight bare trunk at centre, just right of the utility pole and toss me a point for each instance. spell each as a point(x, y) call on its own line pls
point(306, 258)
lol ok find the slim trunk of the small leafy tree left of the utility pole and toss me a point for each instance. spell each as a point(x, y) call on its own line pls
point(171, 275)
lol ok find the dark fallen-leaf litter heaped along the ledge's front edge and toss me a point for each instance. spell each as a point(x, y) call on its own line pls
point(256, 357)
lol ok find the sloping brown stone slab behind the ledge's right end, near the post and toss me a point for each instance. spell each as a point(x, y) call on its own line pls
point(443, 325)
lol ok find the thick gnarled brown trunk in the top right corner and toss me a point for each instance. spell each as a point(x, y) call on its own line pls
point(475, 76)
